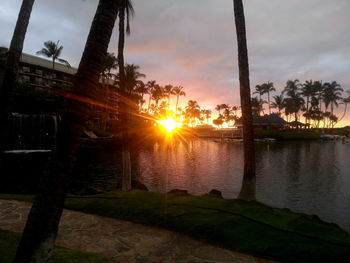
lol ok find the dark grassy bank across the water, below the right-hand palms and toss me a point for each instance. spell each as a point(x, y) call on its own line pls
point(287, 135)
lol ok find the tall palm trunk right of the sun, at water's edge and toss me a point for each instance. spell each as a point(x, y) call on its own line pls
point(249, 177)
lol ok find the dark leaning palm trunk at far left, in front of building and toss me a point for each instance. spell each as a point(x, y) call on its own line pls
point(11, 70)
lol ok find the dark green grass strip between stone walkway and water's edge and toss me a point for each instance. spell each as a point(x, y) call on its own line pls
point(248, 227)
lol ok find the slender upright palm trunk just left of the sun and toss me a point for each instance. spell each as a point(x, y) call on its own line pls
point(126, 179)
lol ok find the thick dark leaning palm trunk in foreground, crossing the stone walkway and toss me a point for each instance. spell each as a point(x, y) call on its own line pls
point(41, 228)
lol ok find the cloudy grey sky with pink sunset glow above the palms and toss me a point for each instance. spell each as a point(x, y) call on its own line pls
point(192, 42)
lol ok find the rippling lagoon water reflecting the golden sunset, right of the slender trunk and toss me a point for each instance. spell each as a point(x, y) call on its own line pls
point(310, 177)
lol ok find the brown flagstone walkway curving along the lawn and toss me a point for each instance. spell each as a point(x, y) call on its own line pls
point(123, 241)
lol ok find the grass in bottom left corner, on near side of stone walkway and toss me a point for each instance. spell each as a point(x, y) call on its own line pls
point(9, 242)
